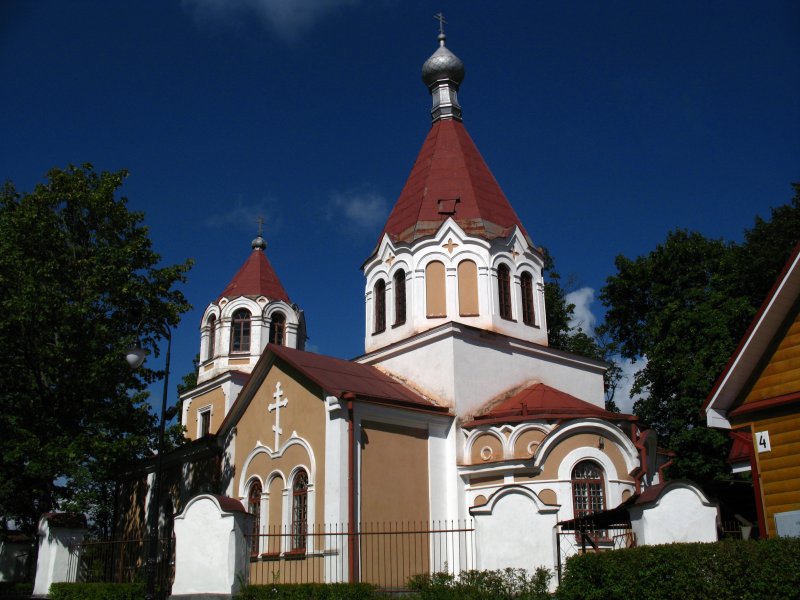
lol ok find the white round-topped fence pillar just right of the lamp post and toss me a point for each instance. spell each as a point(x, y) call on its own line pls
point(210, 548)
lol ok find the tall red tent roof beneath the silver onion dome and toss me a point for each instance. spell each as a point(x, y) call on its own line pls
point(451, 179)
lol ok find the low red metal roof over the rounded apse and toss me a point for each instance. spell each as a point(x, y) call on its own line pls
point(541, 401)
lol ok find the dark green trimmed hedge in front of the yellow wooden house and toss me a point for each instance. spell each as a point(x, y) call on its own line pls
point(730, 569)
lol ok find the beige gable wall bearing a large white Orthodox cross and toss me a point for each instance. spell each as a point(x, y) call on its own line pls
point(304, 414)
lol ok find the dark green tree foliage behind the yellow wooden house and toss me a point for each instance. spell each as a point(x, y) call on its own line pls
point(683, 307)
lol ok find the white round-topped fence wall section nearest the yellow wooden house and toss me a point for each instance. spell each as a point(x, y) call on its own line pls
point(681, 513)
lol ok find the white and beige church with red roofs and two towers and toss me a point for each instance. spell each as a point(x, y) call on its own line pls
point(457, 409)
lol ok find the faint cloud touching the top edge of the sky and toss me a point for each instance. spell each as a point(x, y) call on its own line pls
point(287, 18)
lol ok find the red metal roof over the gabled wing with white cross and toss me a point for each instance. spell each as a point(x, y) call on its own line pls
point(337, 376)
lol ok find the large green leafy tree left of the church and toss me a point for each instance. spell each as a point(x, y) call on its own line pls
point(81, 284)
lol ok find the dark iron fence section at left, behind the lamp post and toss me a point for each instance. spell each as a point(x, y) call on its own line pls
point(122, 561)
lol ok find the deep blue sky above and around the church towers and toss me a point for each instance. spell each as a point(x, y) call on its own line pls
point(607, 124)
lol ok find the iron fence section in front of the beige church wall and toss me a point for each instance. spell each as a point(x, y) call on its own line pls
point(384, 554)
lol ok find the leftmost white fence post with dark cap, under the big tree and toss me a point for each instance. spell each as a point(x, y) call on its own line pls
point(57, 531)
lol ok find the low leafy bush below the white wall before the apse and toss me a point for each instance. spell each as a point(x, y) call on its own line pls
point(480, 585)
